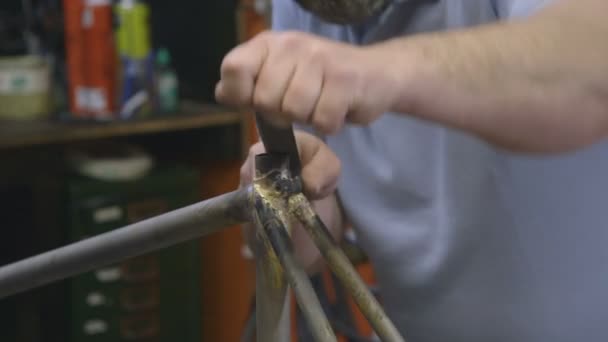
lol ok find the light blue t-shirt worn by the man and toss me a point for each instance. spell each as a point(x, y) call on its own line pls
point(471, 243)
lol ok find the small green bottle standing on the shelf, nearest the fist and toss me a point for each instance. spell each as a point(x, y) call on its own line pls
point(166, 83)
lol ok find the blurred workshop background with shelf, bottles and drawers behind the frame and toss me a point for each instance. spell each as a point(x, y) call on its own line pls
point(107, 117)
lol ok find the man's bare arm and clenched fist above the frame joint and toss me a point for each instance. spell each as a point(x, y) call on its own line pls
point(539, 84)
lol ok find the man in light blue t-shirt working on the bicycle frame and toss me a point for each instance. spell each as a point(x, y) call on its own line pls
point(469, 156)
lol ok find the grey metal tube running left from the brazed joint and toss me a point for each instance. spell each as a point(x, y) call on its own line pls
point(150, 235)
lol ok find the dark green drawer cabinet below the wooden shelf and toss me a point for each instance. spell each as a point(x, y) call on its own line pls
point(154, 297)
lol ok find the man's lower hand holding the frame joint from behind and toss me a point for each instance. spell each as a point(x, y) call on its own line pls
point(320, 172)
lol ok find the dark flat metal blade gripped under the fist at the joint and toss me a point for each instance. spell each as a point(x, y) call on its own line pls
point(280, 141)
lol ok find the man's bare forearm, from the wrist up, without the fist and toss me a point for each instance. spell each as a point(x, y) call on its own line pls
point(536, 85)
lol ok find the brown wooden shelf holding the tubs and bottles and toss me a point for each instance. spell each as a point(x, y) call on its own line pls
point(26, 134)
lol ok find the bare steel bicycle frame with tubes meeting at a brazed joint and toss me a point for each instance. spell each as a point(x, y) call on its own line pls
point(272, 203)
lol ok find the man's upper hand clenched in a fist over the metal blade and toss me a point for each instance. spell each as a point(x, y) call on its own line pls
point(297, 77)
